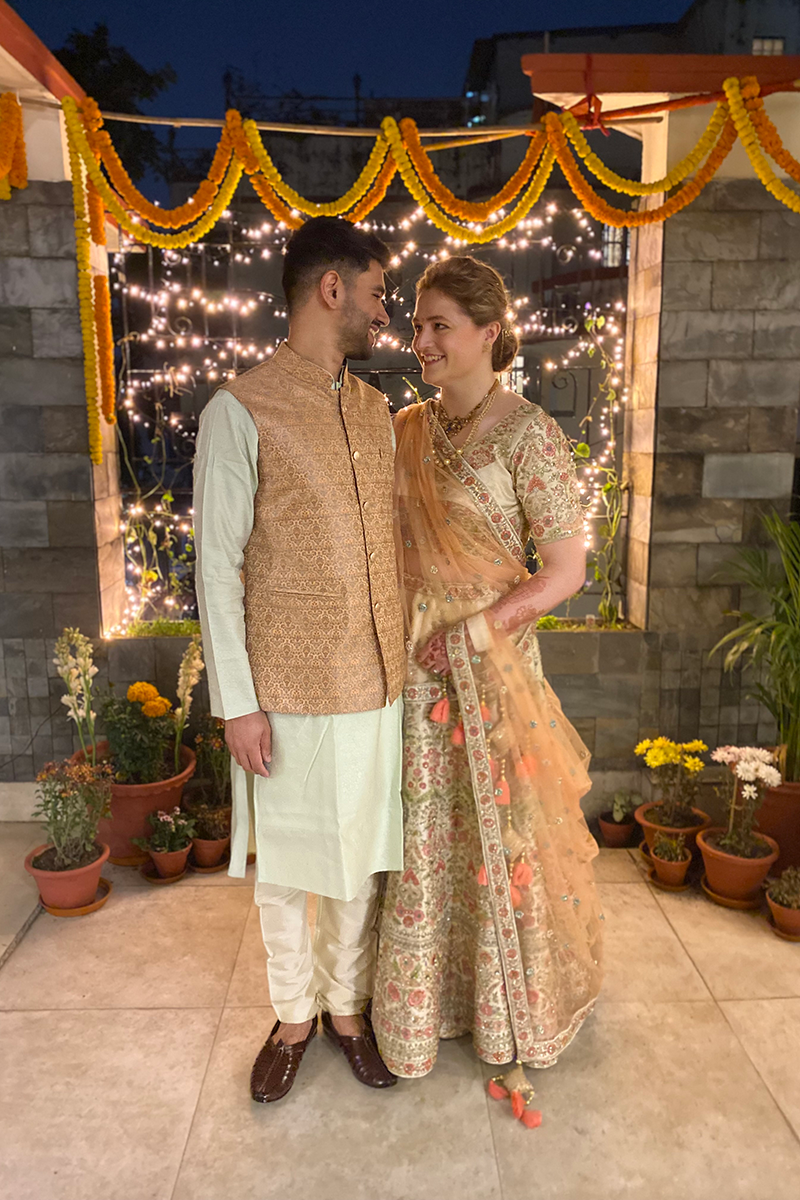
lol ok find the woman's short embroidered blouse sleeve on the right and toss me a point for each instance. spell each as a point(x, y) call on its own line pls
point(546, 482)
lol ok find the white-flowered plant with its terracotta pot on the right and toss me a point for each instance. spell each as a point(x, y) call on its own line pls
point(738, 859)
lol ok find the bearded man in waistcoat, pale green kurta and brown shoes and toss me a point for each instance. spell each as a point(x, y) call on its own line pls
point(303, 635)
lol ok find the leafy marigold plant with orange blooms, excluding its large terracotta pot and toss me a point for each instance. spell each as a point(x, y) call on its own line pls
point(141, 730)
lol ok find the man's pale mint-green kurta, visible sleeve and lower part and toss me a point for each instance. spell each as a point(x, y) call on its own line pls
point(330, 814)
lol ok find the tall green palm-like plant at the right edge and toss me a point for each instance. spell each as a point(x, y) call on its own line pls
point(772, 640)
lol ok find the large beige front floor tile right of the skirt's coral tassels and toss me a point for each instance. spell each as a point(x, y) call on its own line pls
point(652, 1102)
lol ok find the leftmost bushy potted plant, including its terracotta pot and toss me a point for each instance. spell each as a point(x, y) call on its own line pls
point(73, 799)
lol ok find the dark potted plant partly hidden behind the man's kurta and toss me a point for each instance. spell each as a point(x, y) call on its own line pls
point(208, 799)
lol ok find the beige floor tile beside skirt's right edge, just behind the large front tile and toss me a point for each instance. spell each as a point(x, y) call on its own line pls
point(642, 956)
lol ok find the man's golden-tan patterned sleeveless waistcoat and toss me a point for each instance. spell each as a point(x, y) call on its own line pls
point(322, 609)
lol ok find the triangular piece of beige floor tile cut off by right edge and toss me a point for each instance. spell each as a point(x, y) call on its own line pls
point(769, 1030)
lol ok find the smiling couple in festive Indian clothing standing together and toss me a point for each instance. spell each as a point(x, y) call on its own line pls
point(369, 626)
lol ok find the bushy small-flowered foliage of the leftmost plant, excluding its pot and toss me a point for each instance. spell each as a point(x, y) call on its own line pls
point(73, 799)
